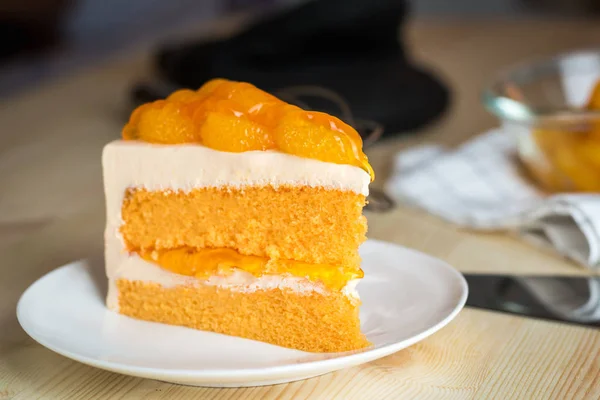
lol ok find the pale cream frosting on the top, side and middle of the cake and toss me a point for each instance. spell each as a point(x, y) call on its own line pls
point(132, 164)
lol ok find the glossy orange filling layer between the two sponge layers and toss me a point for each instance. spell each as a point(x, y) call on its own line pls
point(203, 263)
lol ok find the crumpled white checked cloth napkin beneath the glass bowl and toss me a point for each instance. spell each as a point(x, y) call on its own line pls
point(479, 186)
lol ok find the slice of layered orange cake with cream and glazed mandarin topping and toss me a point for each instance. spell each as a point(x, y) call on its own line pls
point(231, 211)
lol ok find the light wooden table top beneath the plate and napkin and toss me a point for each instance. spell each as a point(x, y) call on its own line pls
point(51, 212)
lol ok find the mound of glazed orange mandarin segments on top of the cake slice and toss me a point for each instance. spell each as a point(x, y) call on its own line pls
point(237, 117)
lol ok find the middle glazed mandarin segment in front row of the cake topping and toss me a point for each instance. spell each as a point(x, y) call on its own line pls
point(227, 132)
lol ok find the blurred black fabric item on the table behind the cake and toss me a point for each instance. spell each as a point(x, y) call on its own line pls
point(348, 46)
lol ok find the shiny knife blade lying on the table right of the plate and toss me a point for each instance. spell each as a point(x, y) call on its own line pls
point(574, 300)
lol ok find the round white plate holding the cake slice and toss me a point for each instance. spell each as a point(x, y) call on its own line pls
point(406, 297)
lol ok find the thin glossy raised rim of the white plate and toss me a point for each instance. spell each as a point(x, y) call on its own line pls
point(353, 358)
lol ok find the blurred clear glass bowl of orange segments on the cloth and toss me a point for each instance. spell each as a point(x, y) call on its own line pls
point(548, 106)
